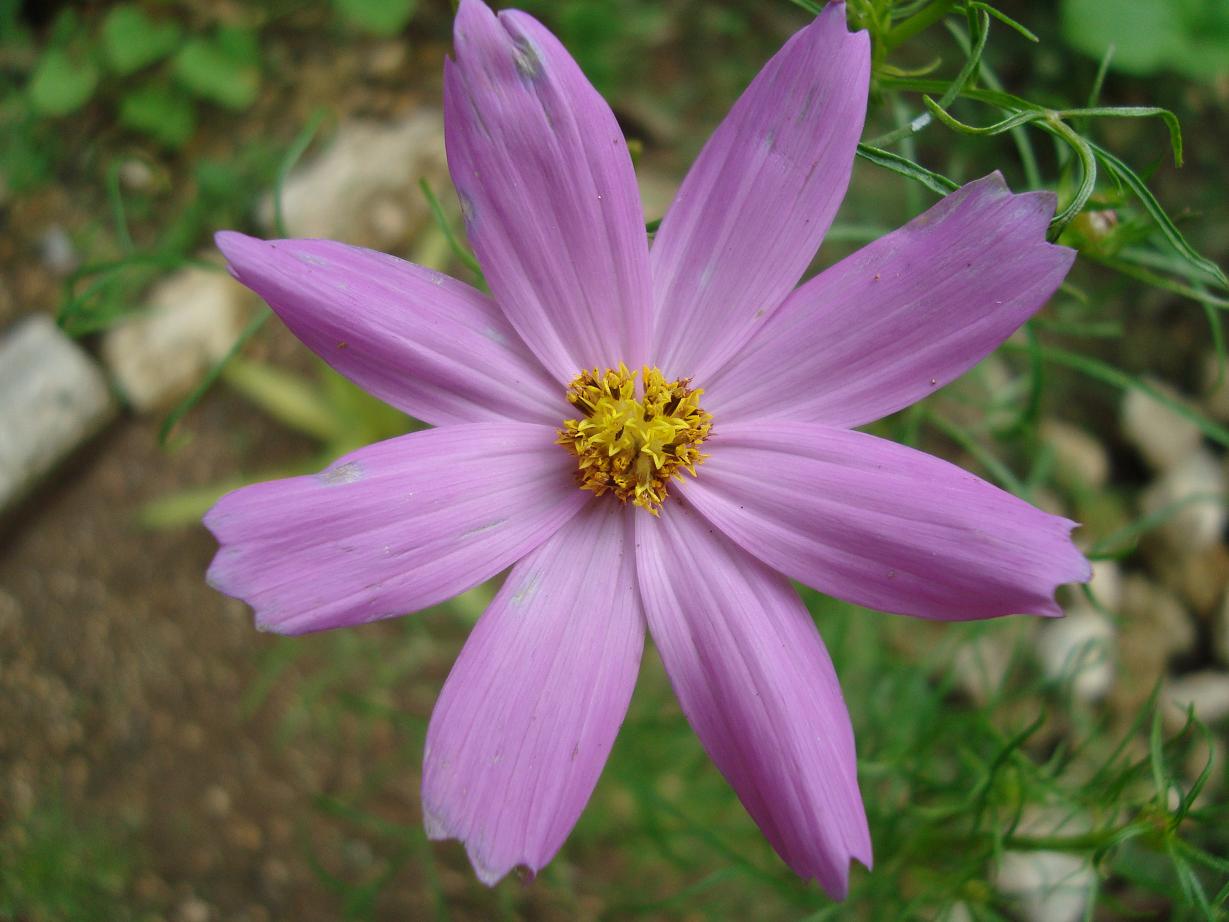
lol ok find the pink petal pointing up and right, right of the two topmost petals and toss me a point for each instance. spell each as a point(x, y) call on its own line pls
point(758, 202)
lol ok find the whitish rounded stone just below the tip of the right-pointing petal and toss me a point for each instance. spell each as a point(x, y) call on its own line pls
point(1081, 650)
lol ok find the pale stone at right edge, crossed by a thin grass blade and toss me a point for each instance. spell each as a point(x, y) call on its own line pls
point(1200, 523)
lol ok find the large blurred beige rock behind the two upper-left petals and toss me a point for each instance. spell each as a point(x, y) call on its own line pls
point(364, 189)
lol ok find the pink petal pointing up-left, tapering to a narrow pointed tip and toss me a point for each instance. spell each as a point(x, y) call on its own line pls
point(416, 339)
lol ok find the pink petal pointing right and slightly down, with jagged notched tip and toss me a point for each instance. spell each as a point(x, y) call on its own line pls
point(882, 526)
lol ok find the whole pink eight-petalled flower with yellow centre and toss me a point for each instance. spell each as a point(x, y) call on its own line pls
point(750, 384)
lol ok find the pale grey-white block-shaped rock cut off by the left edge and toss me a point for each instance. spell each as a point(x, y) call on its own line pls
point(53, 398)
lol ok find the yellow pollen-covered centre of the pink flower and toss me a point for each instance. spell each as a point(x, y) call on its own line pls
point(632, 438)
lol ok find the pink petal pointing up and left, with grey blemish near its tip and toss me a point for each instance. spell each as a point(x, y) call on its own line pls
point(548, 189)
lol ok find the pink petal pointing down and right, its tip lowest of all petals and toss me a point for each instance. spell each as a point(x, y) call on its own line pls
point(759, 688)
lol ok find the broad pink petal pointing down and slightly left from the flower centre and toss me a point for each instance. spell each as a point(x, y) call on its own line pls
point(532, 709)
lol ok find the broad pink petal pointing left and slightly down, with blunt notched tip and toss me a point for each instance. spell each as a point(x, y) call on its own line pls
point(391, 528)
